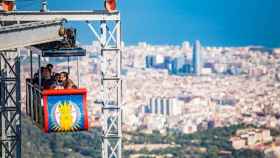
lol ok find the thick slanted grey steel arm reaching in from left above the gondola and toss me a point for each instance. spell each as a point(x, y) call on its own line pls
point(32, 33)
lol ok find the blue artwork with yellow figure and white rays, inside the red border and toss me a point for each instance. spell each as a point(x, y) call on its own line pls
point(65, 114)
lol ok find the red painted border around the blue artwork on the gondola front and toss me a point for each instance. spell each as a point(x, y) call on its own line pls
point(47, 93)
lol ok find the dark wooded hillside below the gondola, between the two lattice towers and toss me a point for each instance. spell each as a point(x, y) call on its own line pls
point(36, 144)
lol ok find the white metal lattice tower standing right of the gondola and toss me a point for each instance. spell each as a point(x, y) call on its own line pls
point(111, 89)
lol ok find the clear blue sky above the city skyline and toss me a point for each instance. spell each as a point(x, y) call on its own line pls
point(214, 22)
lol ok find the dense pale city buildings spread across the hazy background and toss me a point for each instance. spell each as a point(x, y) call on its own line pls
point(235, 85)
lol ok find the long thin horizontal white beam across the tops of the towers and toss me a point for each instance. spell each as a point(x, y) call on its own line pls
point(58, 15)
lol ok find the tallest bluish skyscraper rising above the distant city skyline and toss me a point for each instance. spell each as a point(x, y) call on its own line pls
point(197, 58)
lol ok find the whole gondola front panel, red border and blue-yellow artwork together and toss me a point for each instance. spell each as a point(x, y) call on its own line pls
point(65, 110)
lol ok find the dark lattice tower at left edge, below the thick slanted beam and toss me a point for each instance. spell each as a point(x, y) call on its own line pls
point(10, 112)
